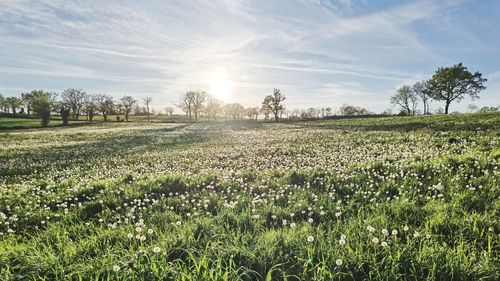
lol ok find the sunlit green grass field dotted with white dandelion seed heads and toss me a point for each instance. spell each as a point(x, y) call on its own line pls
point(414, 198)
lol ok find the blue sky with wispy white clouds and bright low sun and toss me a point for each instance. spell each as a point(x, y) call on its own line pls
point(319, 53)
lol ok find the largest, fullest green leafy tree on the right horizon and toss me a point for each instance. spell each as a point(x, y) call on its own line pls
point(450, 84)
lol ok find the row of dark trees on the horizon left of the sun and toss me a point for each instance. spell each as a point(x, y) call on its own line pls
point(72, 104)
